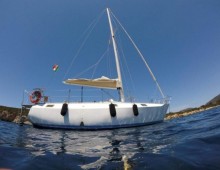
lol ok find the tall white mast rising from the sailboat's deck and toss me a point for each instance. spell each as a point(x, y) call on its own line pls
point(121, 91)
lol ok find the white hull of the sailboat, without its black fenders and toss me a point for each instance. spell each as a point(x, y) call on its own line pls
point(96, 115)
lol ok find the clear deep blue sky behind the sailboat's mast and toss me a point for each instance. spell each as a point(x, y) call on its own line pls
point(180, 39)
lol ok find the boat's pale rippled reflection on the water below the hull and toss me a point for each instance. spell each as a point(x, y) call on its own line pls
point(85, 149)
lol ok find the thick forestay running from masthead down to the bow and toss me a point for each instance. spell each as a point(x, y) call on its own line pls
point(142, 57)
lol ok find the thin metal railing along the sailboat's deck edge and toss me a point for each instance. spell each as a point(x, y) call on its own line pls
point(68, 95)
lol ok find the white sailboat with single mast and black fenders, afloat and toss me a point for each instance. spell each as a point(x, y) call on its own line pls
point(98, 115)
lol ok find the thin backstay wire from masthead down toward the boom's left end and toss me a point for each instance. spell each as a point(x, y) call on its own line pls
point(92, 26)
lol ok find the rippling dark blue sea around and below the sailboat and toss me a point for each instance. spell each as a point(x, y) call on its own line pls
point(191, 142)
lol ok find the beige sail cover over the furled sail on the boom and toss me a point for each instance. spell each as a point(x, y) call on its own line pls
point(103, 82)
